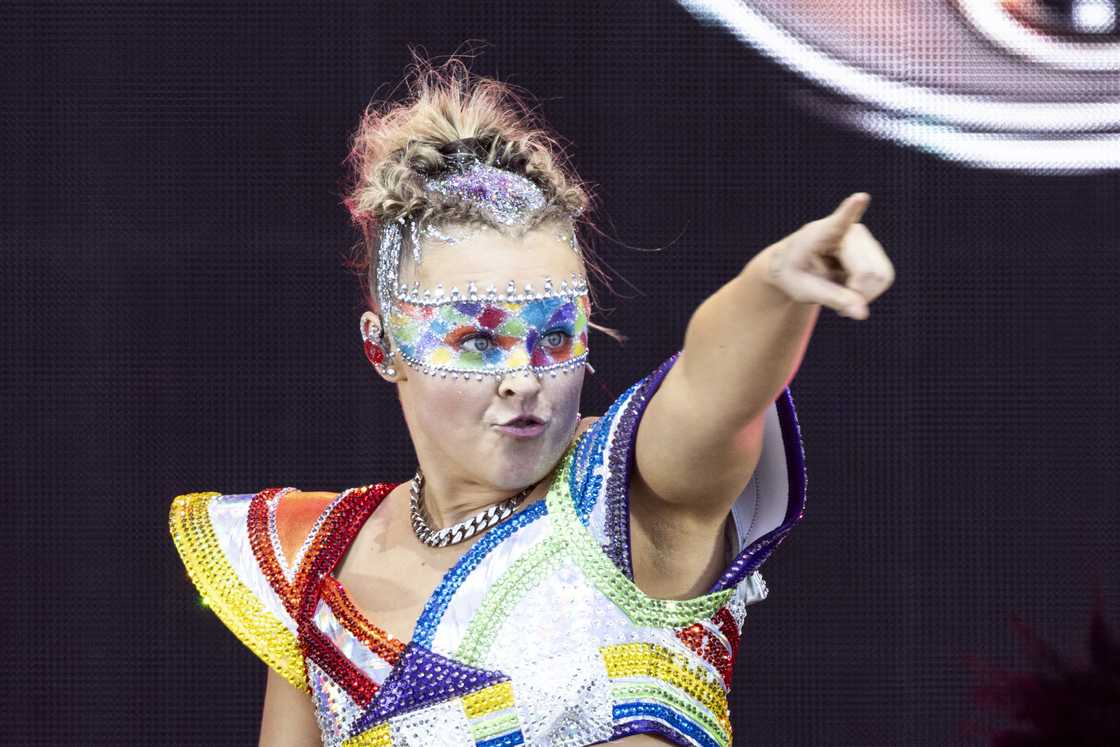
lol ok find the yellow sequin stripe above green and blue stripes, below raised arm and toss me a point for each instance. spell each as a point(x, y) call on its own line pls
point(651, 660)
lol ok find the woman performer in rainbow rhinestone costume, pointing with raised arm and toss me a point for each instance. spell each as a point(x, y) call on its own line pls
point(543, 580)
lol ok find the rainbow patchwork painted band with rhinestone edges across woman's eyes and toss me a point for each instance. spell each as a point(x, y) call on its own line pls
point(493, 338)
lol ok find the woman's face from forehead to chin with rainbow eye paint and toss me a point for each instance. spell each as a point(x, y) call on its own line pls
point(454, 422)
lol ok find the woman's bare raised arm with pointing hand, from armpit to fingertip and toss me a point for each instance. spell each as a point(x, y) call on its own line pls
point(702, 435)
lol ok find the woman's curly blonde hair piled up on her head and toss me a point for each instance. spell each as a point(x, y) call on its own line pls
point(397, 146)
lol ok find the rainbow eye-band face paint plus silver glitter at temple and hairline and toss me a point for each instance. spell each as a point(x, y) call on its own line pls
point(472, 333)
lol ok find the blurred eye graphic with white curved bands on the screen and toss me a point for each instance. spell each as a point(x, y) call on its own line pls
point(926, 76)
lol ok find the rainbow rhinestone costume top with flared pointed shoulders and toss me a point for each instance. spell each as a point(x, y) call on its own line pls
point(491, 662)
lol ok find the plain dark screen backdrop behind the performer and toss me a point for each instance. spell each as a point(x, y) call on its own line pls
point(178, 319)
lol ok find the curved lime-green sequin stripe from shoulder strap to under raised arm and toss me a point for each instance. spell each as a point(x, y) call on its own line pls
point(640, 608)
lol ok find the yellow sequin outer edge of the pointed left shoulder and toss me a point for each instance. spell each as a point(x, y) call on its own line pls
point(222, 591)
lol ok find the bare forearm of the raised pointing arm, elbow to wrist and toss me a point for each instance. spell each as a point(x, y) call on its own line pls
point(744, 344)
